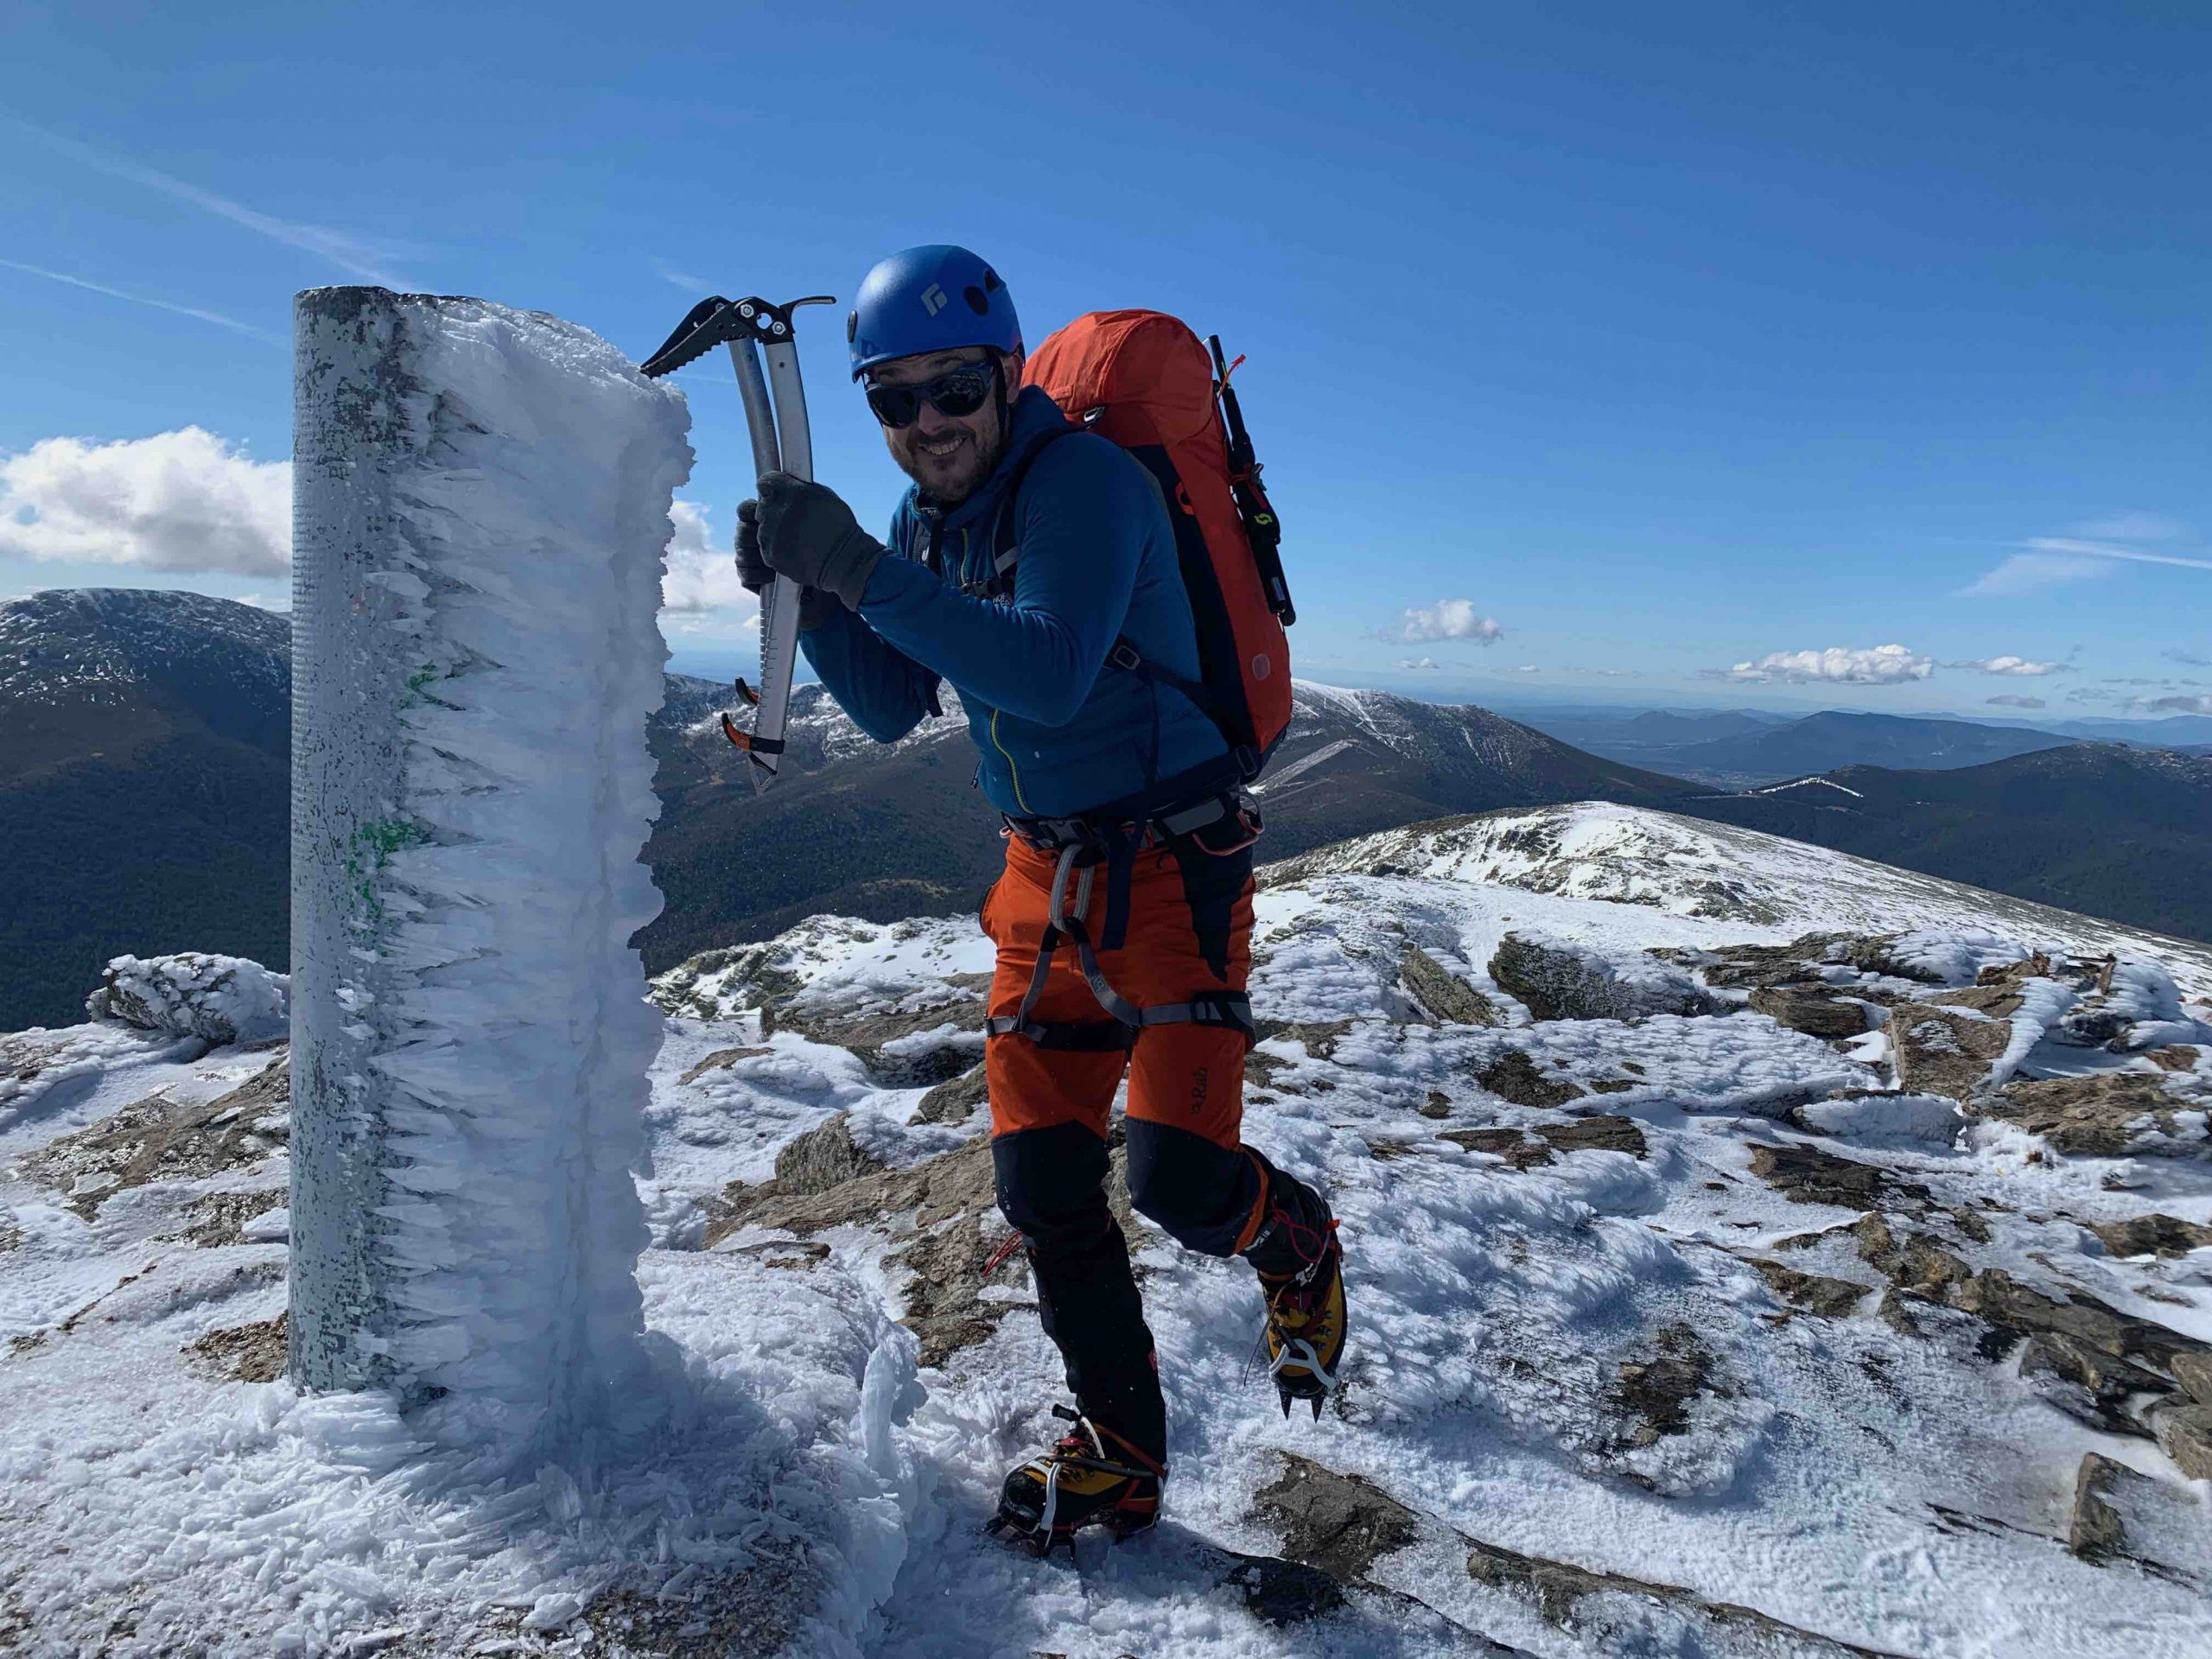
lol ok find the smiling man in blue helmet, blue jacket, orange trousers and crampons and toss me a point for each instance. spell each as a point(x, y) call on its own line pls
point(1019, 561)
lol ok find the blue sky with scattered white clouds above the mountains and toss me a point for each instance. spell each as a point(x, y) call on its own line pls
point(1665, 340)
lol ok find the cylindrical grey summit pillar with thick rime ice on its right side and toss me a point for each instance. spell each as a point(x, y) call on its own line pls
point(481, 503)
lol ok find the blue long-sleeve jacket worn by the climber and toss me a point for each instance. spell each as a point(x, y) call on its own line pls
point(1058, 729)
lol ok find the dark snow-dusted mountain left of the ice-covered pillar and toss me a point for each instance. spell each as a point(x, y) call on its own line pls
point(145, 786)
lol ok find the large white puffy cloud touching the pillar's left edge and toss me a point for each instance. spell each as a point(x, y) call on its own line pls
point(180, 501)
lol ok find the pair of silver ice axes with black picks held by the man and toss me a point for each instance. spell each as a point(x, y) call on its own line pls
point(780, 444)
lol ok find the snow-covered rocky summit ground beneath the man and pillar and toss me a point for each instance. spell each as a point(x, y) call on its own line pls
point(1673, 1335)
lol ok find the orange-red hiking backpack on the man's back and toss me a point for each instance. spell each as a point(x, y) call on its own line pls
point(1147, 382)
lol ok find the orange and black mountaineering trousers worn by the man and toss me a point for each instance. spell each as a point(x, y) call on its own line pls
point(1171, 930)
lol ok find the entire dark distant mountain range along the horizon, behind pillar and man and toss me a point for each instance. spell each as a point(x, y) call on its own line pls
point(145, 802)
